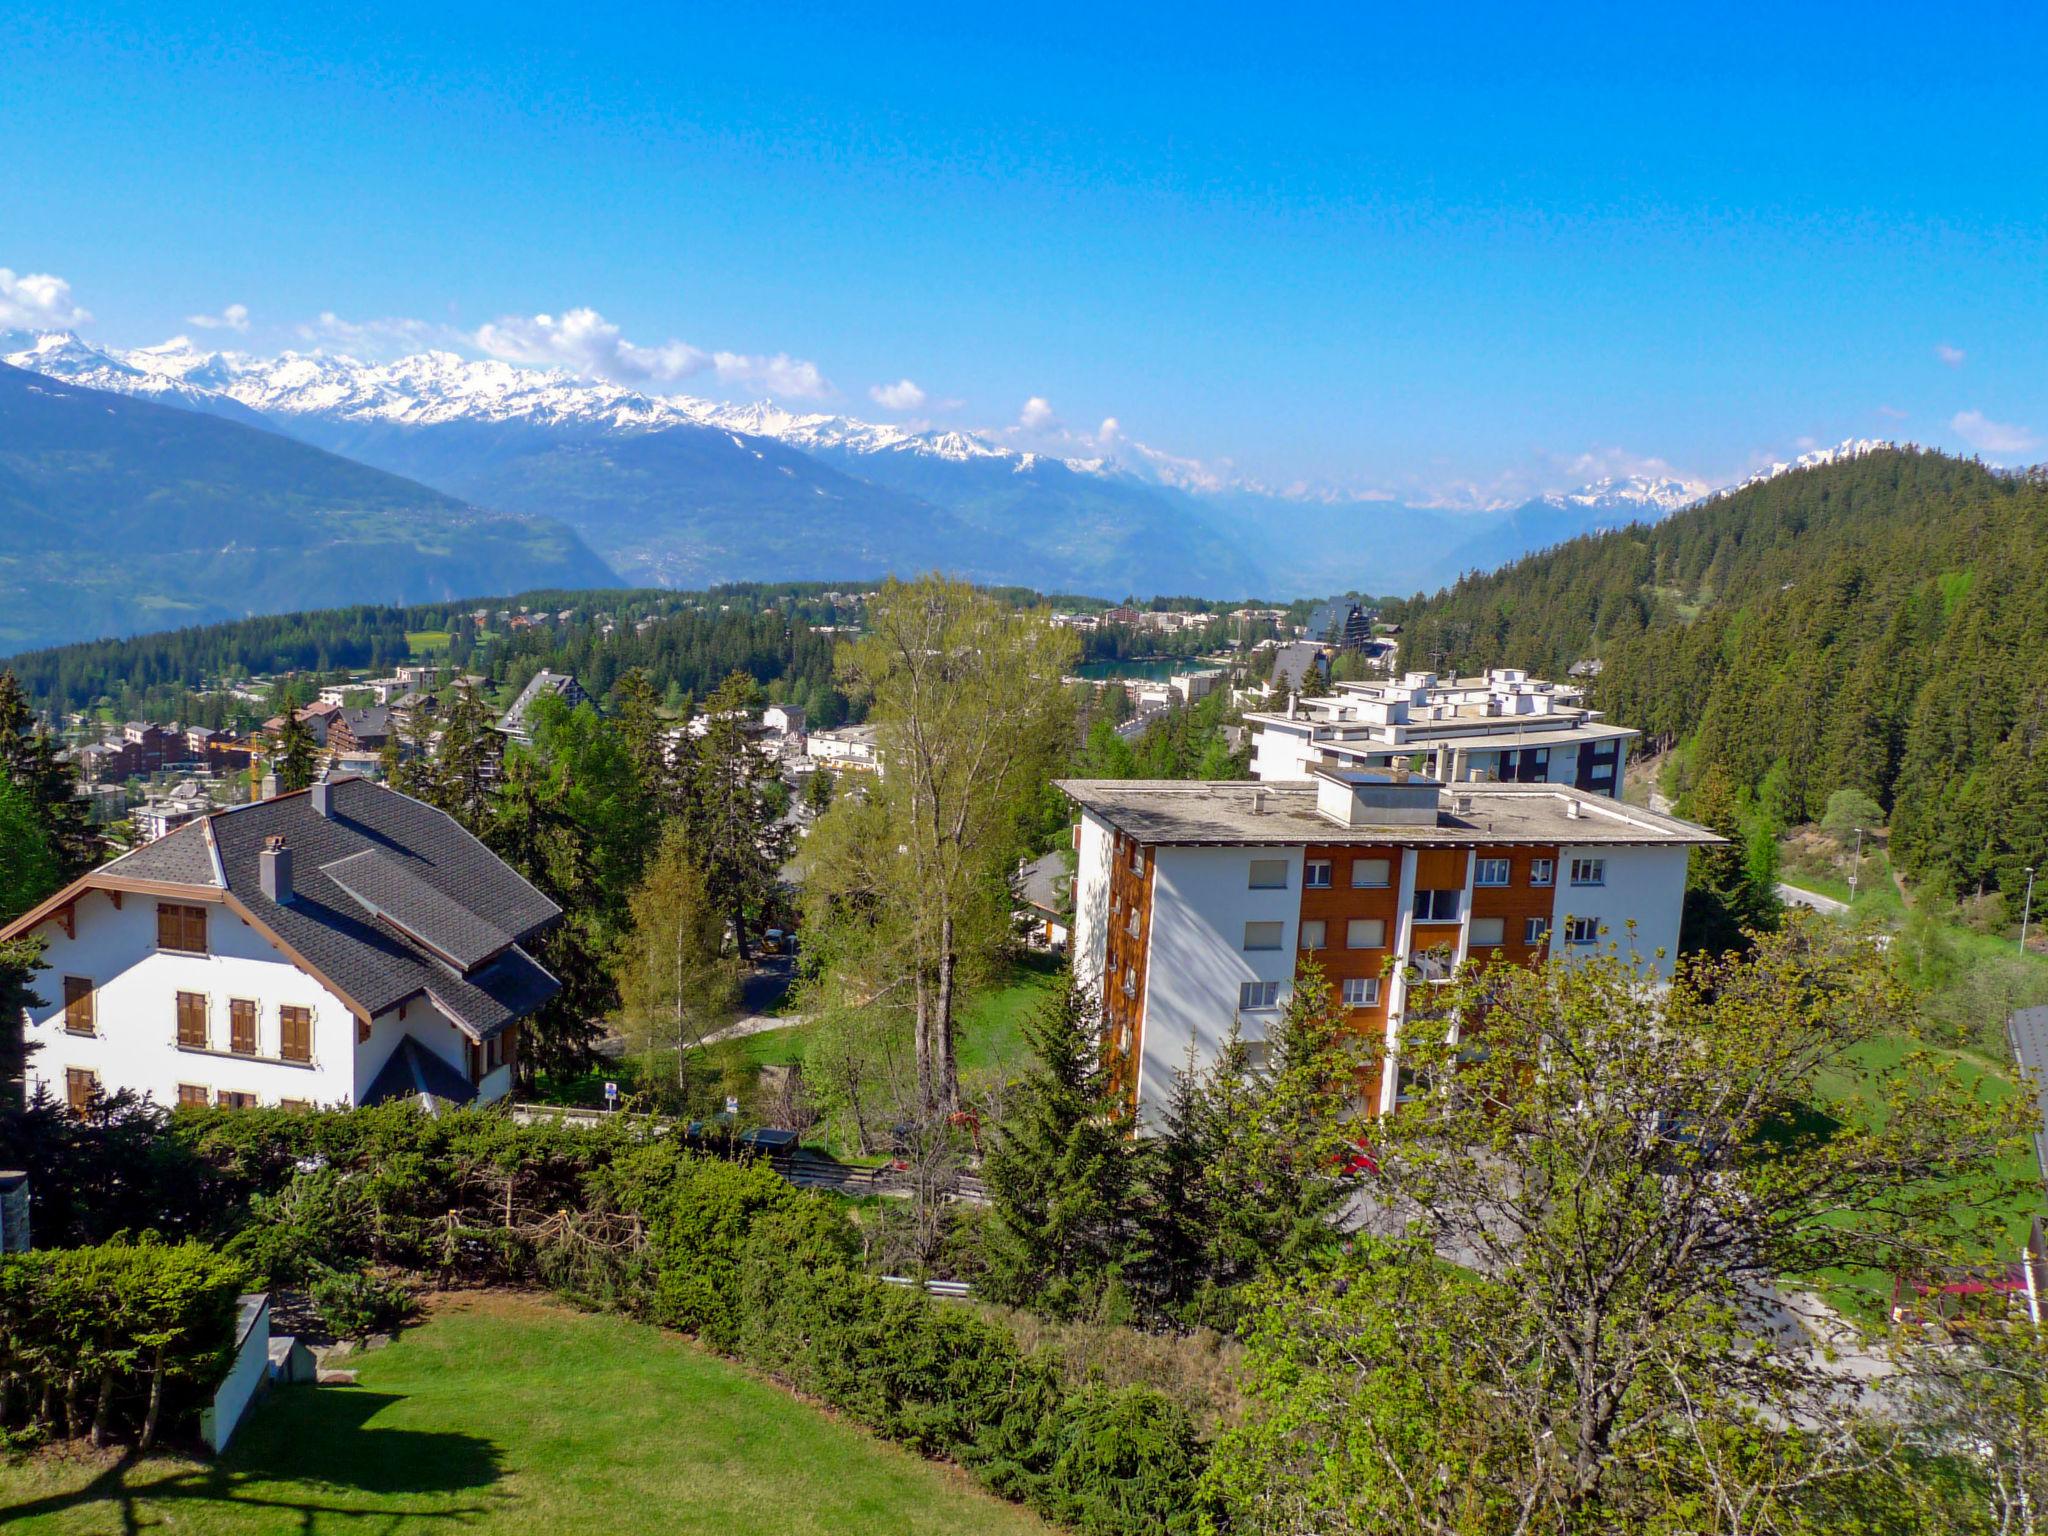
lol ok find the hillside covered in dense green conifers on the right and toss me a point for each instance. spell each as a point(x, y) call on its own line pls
point(1877, 626)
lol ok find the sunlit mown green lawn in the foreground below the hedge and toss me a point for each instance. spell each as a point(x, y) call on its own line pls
point(511, 1414)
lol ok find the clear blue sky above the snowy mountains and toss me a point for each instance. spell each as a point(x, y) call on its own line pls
point(1361, 247)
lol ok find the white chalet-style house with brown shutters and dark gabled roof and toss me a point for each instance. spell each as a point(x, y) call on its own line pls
point(343, 945)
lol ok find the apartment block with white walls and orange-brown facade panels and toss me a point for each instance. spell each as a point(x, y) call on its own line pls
point(1197, 900)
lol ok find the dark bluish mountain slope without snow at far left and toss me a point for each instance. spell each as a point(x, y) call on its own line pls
point(124, 515)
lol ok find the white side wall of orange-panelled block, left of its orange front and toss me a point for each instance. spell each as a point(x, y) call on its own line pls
point(1197, 959)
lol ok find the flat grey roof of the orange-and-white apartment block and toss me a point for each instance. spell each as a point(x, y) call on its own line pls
point(1248, 814)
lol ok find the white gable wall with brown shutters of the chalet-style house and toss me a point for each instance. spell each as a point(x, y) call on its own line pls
point(136, 1011)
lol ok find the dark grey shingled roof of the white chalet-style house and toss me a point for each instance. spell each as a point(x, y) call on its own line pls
point(376, 964)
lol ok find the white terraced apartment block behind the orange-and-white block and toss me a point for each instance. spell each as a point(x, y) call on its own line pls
point(1506, 728)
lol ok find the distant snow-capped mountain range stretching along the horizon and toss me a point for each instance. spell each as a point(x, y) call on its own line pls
point(685, 493)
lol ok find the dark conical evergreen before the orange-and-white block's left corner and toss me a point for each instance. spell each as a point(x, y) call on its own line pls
point(1064, 1172)
